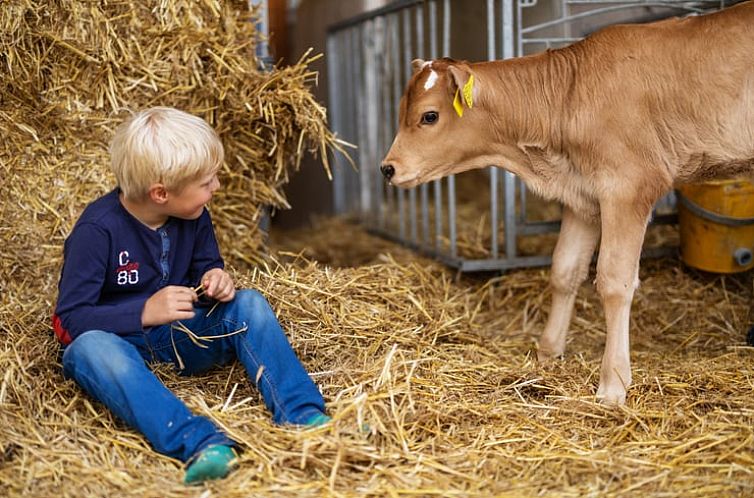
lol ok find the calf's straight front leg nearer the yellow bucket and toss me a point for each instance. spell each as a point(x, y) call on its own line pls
point(623, 229)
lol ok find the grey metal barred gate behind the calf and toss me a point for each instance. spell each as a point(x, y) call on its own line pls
point(369, 63)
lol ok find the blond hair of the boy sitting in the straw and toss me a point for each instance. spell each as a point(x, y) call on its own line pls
point(163, 145)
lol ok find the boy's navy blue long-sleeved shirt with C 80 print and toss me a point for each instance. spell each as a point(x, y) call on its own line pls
point(113, 263)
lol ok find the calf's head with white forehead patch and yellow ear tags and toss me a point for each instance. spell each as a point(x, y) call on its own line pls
point(439, 127)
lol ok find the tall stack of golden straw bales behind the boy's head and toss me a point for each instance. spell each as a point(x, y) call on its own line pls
point(73, 69)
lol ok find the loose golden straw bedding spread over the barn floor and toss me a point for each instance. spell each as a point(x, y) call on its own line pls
point(440, 367)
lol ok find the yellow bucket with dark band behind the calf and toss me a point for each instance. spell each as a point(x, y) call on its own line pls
point(716, 221)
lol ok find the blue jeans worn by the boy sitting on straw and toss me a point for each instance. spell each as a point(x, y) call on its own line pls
point(112, 369)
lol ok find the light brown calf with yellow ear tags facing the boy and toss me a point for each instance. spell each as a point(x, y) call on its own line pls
point(606, 126)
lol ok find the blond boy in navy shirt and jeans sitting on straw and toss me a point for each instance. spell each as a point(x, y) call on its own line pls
point(135, 265)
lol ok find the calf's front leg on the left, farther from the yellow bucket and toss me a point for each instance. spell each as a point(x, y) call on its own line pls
point(570, 267)
